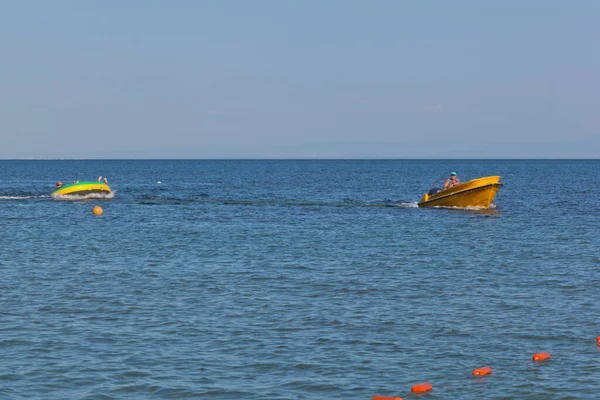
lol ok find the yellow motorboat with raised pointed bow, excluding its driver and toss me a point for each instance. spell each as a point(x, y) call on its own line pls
point(476, 193)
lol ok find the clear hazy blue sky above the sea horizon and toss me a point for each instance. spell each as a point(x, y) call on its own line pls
point(299, 79)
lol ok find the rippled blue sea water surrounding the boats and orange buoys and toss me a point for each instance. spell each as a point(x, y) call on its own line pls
point(298, 280)
